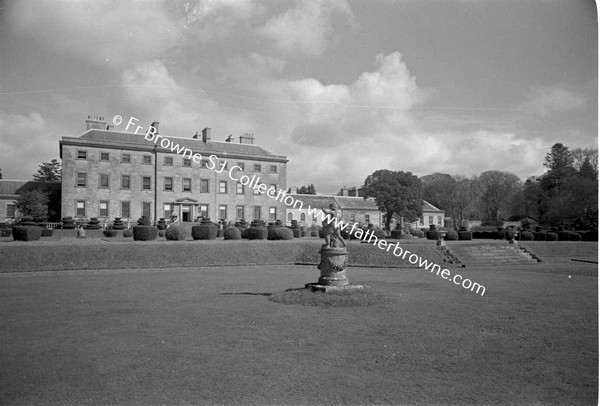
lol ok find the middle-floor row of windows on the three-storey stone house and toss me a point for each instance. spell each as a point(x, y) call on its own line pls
point(168, 184)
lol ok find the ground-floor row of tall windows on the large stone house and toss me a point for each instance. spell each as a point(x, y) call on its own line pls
point(81, 208)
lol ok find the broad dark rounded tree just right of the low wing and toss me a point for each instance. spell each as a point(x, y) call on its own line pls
point(396, 193)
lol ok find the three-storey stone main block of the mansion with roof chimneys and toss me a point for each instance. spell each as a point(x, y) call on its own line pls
point(108, 174)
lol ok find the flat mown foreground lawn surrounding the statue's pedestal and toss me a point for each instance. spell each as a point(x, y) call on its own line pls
point(212, 336)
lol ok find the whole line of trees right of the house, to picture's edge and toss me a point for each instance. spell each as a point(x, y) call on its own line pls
point(566, 195)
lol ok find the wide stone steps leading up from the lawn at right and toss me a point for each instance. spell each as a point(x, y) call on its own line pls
point(488, 254)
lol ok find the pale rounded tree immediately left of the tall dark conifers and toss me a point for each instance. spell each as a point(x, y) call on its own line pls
point(497, 190)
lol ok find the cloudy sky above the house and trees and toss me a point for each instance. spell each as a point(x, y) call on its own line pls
point(341, 87)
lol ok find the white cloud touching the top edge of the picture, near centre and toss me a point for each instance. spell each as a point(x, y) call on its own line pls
point(306, 27)
